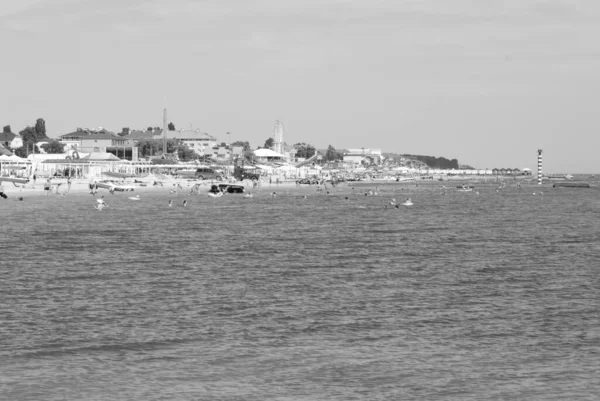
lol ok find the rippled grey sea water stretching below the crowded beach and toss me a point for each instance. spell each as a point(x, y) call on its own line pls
point(487, 295)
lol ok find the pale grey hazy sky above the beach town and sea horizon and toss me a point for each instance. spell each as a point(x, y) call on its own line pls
point(486, 82)
